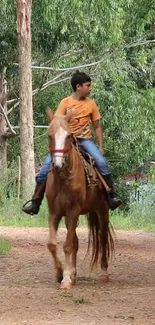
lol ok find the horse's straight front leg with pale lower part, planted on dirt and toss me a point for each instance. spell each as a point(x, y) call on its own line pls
point(70, 251)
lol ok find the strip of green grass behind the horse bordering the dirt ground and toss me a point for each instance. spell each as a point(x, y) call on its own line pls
point(140, 217)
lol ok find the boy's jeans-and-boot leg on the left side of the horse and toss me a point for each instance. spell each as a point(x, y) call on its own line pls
point(33, 207)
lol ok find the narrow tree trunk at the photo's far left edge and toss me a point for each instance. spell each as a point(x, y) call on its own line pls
point(3, 140)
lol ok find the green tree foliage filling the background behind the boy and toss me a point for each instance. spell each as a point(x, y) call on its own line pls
point(74, 32)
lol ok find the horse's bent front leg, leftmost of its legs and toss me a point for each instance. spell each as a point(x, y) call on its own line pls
point(52, 246)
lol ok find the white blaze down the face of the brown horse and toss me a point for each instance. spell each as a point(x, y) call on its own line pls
point(60, 138)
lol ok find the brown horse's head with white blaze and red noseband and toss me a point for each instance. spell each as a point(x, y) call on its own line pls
point(60, 139)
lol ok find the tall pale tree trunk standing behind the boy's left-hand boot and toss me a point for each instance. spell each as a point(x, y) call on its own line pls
point(26, 110)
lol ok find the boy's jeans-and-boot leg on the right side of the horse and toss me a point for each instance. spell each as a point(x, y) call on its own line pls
point(91, 148)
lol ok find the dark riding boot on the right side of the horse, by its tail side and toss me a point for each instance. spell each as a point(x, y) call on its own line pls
point(113, 203)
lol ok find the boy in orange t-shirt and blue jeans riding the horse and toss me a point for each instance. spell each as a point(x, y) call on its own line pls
point(84, 111)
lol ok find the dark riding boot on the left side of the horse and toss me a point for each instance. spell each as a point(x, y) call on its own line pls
point(33, 207)
